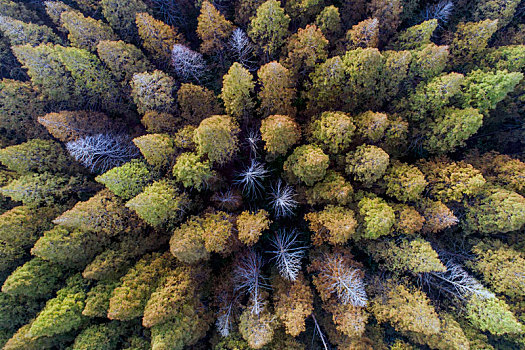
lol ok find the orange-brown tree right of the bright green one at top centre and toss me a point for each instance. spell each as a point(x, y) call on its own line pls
point(306, 48)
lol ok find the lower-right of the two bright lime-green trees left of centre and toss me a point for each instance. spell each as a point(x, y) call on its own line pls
point(160, 204)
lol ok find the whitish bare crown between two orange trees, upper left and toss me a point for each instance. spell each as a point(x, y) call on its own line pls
point(187, 64)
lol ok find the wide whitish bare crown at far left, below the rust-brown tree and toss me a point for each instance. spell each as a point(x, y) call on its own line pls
point(103, 151)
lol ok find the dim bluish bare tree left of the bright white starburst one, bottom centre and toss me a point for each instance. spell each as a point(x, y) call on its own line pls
point(248, 278)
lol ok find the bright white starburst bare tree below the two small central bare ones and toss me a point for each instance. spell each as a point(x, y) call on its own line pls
point(287, 253)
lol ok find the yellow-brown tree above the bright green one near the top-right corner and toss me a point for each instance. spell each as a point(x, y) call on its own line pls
point(470, 40)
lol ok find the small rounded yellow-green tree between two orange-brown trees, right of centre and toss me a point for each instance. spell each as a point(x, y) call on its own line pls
point(377, 218)
